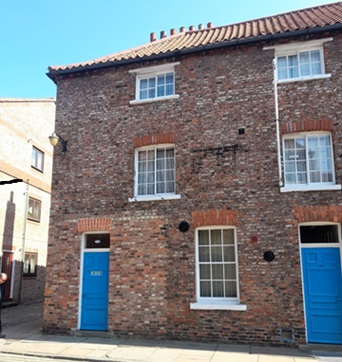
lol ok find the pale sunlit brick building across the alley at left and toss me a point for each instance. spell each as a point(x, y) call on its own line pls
point(26, 155)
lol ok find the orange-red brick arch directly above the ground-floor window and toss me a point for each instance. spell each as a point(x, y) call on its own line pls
point(214, 217)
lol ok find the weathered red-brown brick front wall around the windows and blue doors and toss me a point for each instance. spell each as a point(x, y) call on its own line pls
point(222, 177)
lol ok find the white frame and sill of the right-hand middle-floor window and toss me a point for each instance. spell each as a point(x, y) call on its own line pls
point(309, 186)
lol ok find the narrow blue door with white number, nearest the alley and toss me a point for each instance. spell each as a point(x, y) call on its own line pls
point(94, 312)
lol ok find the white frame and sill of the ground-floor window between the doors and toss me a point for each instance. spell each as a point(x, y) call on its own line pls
point(216, 303)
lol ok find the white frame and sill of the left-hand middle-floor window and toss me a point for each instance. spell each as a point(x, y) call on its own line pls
point(155, 196)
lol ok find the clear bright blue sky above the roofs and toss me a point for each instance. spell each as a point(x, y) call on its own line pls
point(36, 34)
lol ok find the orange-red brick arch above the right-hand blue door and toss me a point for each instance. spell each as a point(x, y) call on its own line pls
point(331, 213)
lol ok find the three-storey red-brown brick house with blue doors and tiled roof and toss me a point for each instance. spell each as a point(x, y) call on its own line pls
point(200, 195)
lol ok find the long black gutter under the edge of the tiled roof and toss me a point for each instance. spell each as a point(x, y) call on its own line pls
point(244, 41)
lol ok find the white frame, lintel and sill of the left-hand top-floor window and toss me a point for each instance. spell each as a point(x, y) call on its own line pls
point(153, 72)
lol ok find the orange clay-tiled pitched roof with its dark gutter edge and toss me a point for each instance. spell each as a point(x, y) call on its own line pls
point(314, 19)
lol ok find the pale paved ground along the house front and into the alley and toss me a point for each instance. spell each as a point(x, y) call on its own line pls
point(25, 341)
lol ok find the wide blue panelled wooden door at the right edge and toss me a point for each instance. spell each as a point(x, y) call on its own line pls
point(322, 294)
